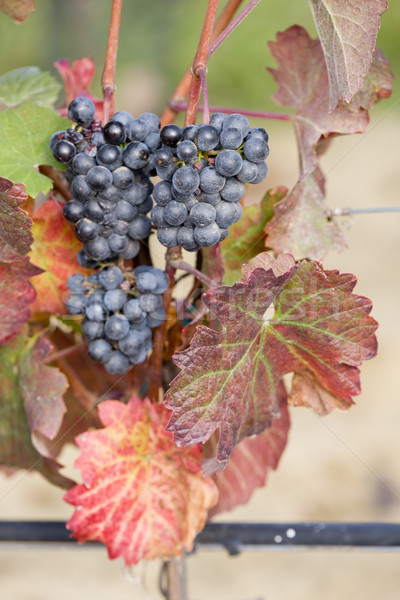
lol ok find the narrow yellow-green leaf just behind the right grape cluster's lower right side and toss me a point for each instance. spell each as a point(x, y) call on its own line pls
point(247, 237)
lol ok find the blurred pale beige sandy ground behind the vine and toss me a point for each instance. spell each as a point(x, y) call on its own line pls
point(340, 468)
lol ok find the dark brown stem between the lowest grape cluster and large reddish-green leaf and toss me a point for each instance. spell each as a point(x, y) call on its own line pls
point(156, 360)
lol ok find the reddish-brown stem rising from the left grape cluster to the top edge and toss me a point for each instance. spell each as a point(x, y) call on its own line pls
point(108, 76)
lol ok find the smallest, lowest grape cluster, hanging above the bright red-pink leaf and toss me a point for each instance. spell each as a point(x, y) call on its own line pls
point(118, 313)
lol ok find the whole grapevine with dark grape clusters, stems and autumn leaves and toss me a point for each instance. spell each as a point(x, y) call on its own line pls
point(177, 389)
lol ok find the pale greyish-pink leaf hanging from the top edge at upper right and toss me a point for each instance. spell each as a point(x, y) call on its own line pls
point(348, 33)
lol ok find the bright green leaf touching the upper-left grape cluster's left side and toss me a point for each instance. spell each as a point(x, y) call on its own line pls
point(24, 144)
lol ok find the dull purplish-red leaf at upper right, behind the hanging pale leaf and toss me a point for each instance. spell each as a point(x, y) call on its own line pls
point(303, 83)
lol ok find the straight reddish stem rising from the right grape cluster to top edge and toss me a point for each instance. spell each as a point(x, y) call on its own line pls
point(200, 62)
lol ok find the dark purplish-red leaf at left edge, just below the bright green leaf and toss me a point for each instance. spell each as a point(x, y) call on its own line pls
point(15, 224)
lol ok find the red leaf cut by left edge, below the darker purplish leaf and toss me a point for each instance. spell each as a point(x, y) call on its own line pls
point(16, 294)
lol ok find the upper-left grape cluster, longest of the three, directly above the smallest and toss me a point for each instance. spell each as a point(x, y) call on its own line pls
point(108, 172)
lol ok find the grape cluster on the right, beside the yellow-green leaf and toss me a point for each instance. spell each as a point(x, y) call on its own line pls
point(204, 169)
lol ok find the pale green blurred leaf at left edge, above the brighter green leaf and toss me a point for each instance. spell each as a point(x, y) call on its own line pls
point(28, 84)
